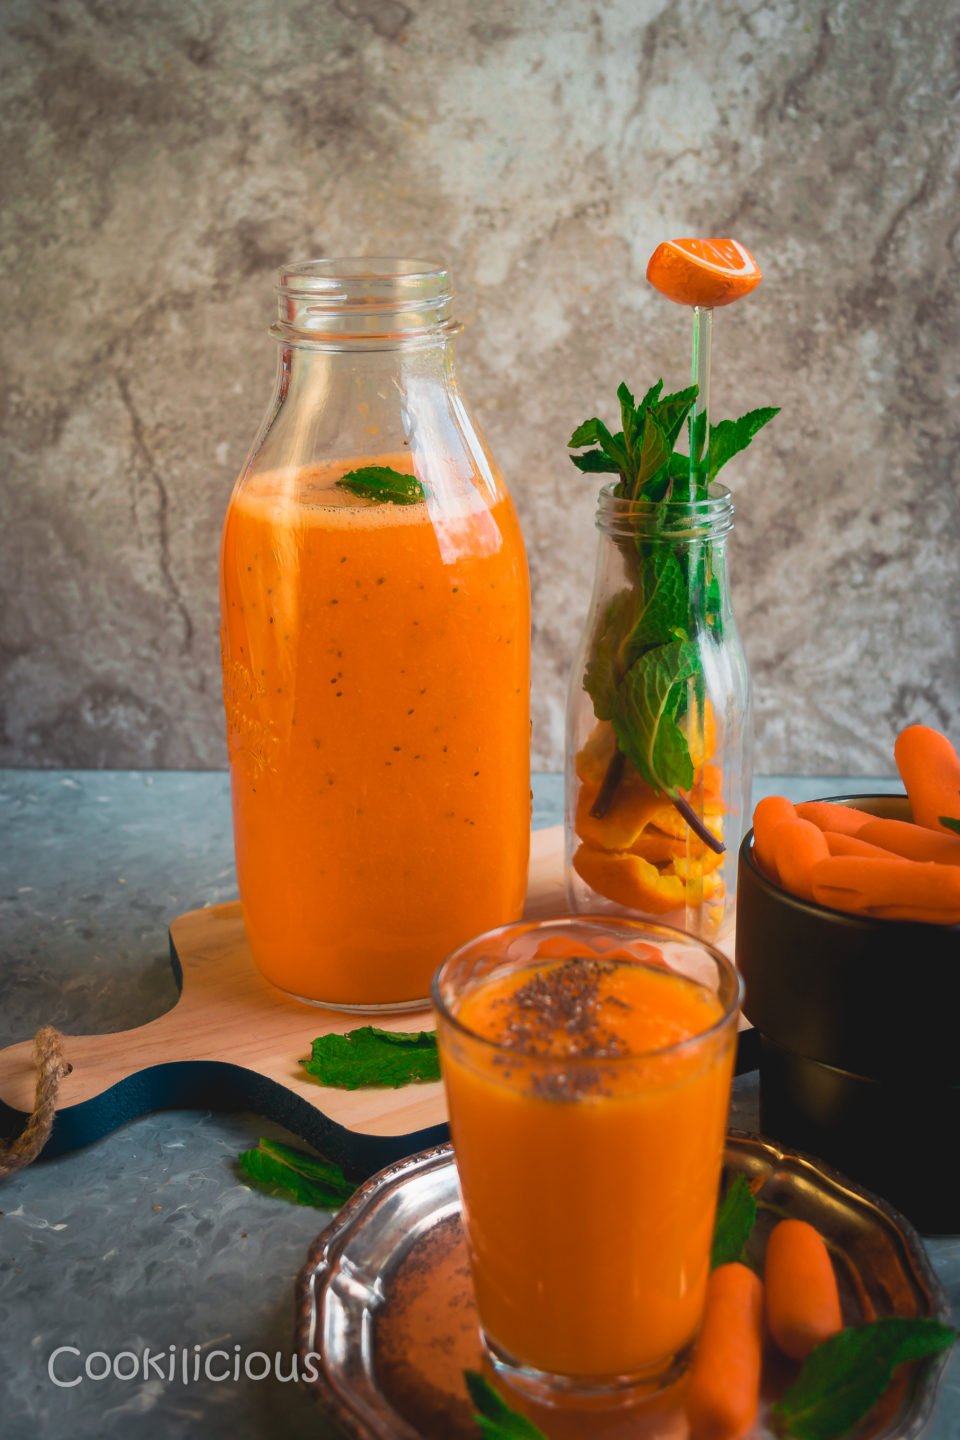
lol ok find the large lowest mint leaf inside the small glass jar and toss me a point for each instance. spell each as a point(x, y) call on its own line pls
point(646, 716)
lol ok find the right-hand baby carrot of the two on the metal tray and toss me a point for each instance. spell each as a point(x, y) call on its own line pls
point(804, 1305)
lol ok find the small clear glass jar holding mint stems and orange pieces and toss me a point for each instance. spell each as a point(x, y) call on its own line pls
point(658, 721)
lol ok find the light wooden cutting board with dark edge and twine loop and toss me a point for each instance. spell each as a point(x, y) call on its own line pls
point(232, 1042)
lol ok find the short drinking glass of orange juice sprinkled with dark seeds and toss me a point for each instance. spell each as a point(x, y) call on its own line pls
point(588, 1068)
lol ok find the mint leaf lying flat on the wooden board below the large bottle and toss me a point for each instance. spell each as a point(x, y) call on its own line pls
point(375, 1058)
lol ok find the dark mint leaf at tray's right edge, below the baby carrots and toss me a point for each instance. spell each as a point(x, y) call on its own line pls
point(844, 1377)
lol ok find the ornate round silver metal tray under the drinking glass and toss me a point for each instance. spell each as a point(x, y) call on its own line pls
point(386, 1301)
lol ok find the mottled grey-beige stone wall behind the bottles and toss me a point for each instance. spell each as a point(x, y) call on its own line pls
point(160, 158)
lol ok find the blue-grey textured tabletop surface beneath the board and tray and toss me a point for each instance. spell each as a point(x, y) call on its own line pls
point(149, 1238)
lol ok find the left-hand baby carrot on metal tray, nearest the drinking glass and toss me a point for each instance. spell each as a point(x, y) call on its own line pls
point(725, 1379)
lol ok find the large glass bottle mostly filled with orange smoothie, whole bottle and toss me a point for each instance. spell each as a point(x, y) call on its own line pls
point(376, 653)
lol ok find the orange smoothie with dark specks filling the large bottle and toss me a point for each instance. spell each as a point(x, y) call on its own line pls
point(376, 680)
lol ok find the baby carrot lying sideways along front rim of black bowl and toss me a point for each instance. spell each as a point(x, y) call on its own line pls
point(877, 886)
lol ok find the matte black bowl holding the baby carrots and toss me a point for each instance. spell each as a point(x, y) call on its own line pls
point(859, 1025)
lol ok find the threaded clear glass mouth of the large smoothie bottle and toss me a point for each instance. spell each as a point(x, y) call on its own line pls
point(363, 300)
